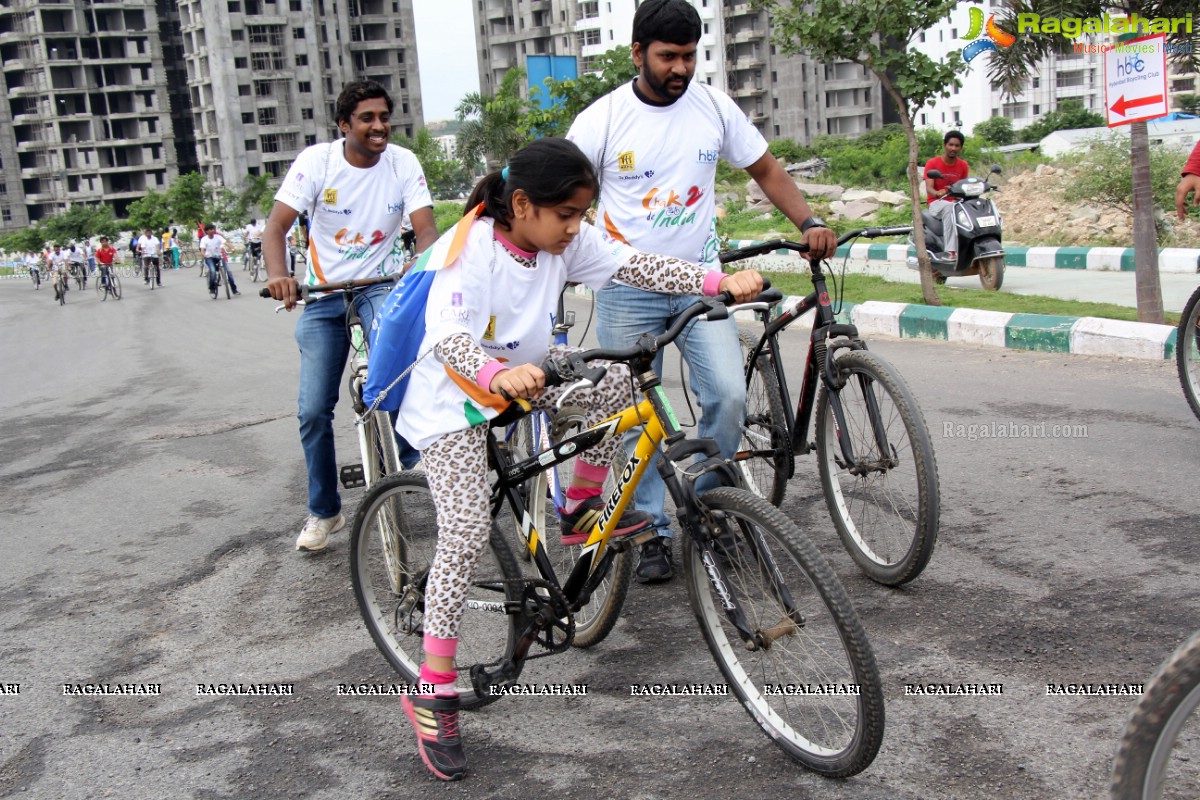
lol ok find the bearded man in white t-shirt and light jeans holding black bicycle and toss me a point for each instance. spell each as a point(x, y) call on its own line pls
point(656, 143)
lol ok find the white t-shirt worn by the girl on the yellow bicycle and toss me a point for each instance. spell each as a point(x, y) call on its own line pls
point(505, 306)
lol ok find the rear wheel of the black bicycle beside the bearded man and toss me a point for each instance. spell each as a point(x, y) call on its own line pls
point(765, 428)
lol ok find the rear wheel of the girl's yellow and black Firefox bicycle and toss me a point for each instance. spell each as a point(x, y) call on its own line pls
point(389, 558)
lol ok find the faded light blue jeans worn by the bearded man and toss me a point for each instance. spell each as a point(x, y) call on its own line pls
point(713, 356)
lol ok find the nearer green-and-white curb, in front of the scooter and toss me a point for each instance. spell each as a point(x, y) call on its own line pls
point(1042, 333)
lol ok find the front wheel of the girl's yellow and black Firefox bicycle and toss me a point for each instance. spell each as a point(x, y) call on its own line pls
point(835, 735)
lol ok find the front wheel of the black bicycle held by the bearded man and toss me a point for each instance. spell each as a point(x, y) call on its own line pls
point(889, 518)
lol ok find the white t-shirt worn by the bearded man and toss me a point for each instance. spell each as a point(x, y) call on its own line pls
point(661, 167)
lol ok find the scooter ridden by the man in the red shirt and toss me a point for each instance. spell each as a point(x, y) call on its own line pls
point(979, 221)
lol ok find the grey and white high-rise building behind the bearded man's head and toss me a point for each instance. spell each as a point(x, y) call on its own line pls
point(784, 97)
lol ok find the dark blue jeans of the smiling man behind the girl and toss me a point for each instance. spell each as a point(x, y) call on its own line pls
point(325, 347)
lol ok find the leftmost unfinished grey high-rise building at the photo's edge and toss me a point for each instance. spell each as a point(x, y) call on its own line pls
point(86, 116)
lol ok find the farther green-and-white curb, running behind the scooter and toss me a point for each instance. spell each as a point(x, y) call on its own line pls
point(1118, 260)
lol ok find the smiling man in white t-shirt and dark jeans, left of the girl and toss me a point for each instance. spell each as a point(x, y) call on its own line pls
point(356, 191)
